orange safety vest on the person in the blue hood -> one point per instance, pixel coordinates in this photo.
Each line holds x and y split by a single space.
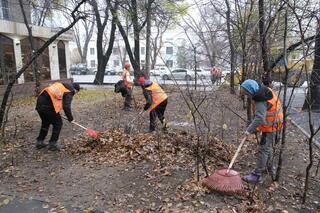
274 115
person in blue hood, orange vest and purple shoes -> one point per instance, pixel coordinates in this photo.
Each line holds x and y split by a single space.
268 120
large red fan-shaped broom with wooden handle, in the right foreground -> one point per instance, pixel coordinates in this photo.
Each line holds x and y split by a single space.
226 180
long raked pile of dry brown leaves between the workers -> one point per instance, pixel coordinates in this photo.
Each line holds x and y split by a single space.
173 148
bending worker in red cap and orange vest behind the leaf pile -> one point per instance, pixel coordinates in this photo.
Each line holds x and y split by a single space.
156 104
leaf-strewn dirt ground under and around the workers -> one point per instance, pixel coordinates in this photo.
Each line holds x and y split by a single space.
148 171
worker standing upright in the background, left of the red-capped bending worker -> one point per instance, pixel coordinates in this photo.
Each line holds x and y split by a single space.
128 83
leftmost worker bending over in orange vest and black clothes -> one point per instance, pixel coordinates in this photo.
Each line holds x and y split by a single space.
49 103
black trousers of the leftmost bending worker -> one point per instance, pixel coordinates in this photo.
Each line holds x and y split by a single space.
49 117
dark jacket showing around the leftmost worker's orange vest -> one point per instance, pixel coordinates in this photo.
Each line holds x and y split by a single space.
44 102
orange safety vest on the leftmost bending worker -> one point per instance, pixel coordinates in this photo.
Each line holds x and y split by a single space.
56 92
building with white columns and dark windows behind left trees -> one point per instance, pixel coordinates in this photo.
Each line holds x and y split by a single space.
15 48
